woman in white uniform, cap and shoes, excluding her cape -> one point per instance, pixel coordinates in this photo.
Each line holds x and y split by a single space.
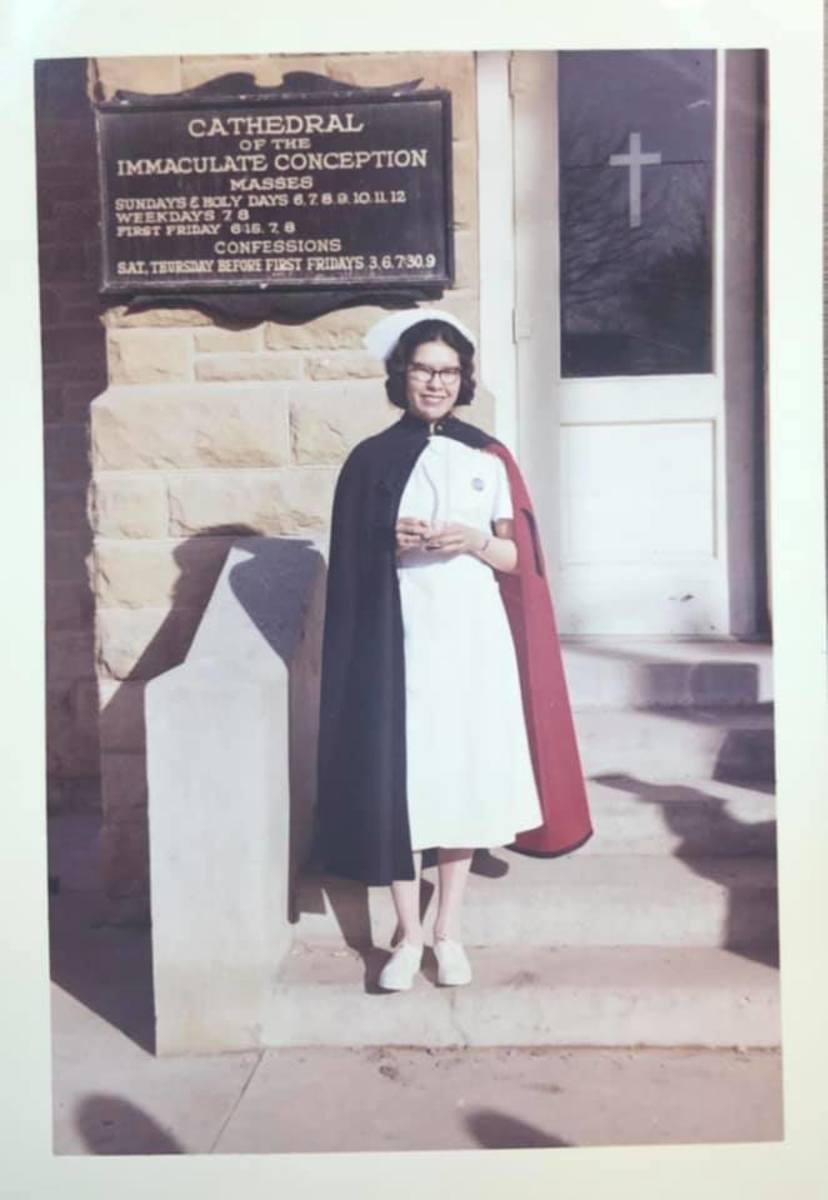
470 778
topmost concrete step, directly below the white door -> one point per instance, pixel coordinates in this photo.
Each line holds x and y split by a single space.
629 673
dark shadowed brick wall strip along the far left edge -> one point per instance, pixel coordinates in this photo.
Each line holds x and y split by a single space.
74 374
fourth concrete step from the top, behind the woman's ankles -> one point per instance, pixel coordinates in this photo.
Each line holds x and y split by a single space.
578 902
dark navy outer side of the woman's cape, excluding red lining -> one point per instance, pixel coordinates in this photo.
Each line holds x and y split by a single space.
363 817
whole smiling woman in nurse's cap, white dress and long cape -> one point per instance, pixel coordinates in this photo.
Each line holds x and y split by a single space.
445 717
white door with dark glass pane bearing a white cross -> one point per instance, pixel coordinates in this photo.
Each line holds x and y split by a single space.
635 417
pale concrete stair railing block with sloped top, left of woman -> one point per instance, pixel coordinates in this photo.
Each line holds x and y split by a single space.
231 745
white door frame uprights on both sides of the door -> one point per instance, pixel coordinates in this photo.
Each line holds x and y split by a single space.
512 233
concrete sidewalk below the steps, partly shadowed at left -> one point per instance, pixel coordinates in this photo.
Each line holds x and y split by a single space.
112 1096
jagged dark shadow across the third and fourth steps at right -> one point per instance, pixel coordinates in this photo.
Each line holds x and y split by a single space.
681 820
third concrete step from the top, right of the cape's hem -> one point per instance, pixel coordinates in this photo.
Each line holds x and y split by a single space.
697 819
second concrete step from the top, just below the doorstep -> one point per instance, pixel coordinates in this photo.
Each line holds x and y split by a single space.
675 745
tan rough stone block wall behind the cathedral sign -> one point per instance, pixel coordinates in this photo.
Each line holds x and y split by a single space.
205 434
